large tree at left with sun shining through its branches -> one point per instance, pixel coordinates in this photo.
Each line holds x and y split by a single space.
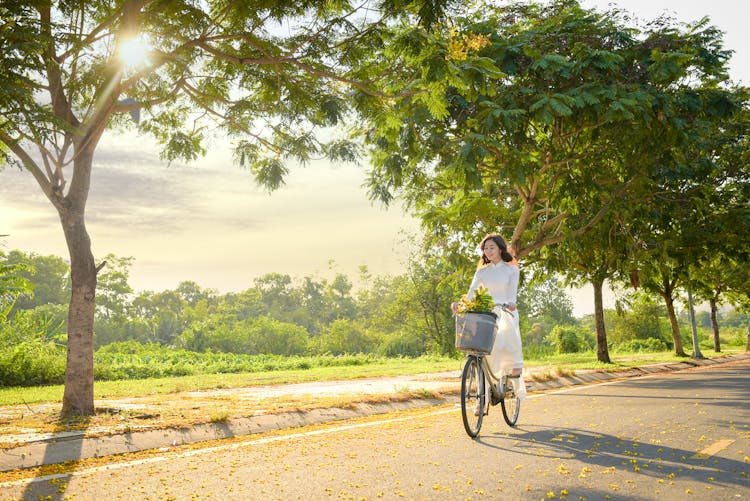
269 73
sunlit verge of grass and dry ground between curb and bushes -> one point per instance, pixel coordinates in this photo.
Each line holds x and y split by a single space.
158 403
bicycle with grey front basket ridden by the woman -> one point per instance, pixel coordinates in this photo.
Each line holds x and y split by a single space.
475 336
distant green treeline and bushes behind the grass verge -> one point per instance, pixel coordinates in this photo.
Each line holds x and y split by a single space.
280 321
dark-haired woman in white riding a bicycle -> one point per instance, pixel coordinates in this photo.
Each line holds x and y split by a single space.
498 273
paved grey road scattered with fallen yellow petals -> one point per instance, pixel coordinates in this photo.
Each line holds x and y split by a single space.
681 435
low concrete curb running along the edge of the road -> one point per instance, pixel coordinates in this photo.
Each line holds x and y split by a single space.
71 446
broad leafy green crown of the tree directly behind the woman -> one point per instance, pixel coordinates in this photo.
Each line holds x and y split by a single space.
543 118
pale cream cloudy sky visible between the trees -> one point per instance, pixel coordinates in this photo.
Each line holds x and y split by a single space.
208 222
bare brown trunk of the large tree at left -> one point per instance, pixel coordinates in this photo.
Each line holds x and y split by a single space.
78 397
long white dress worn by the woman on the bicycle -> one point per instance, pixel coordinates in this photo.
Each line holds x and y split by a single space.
501 281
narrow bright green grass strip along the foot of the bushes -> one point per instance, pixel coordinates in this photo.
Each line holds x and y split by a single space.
549 367
